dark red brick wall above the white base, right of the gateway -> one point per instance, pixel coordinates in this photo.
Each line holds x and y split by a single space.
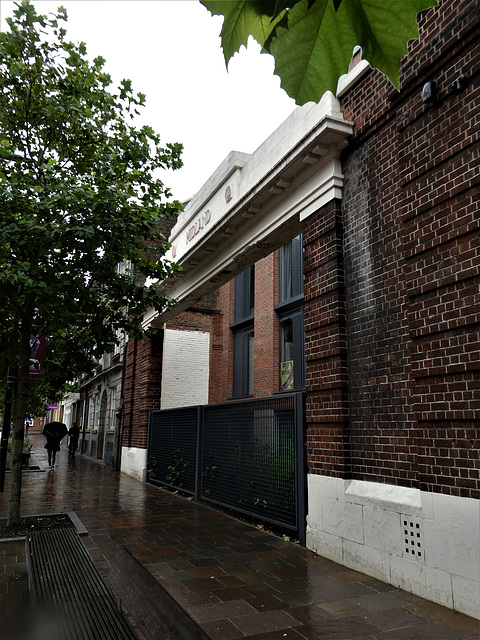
411 263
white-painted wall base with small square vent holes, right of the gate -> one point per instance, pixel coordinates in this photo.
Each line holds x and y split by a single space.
425 543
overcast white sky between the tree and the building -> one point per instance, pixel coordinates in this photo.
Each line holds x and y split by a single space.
171 51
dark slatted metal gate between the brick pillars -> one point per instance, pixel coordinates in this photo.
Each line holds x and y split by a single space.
247 456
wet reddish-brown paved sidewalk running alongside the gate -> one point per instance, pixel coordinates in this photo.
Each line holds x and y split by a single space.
235 580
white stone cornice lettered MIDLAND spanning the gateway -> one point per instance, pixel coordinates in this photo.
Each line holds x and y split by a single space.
253 204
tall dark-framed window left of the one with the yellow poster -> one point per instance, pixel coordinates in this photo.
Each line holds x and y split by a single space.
243 336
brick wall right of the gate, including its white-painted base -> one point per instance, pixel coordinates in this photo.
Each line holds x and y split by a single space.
392 304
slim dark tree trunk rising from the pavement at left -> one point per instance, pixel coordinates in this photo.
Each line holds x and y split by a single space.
13 515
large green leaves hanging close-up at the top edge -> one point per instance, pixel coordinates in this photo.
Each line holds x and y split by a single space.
312 40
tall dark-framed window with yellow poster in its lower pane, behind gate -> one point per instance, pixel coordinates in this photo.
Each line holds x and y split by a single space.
290 313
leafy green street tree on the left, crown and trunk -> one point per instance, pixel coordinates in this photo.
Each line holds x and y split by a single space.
79 195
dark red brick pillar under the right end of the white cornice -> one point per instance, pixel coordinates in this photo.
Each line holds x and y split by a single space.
325 344
